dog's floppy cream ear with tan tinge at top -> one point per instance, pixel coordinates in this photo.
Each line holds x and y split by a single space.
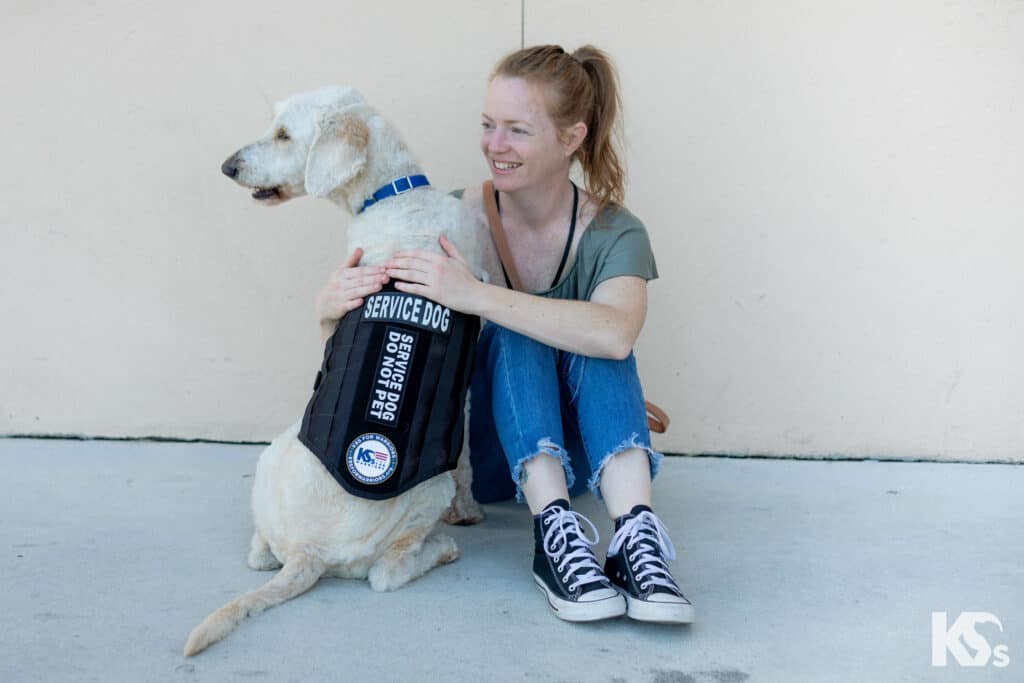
338 153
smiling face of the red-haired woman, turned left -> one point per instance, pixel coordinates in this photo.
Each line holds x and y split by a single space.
520 140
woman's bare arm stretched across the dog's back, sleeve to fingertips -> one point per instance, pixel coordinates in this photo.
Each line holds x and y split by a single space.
606 327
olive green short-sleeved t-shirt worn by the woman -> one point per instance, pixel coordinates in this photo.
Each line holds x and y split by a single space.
615 243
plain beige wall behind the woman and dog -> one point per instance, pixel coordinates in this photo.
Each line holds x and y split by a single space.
830 189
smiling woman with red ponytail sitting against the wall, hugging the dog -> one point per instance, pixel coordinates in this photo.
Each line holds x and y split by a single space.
556 363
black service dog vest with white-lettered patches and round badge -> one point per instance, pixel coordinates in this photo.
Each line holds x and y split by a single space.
388 407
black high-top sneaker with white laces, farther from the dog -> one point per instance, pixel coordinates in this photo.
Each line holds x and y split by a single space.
636 565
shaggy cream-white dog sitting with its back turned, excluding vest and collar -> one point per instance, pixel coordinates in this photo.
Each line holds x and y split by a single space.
329 144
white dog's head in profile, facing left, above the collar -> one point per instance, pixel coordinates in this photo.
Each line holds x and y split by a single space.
317 144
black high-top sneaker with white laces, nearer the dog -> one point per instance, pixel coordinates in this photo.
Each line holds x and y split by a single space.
567 571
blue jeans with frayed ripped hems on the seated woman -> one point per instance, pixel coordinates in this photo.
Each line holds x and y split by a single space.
529 399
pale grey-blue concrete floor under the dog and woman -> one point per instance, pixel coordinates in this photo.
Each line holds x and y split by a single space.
800 571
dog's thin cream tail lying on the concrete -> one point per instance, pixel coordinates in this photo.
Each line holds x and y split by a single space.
300 574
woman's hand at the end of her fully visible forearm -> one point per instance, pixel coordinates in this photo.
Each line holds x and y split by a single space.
442 278
